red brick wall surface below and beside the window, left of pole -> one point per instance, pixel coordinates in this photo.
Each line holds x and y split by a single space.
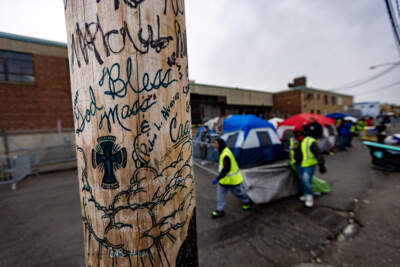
38 105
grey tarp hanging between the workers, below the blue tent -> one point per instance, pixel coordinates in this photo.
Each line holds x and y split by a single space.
267 183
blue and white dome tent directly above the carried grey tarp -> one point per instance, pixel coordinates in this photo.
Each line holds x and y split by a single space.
252 140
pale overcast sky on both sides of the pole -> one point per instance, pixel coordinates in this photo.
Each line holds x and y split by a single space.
263 44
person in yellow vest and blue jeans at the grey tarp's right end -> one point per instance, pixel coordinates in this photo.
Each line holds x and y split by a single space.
307 156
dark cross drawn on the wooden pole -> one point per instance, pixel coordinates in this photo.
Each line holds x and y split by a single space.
109 157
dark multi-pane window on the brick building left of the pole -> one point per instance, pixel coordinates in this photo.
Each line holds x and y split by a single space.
16 67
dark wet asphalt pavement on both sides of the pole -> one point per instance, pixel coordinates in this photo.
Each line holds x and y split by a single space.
41 222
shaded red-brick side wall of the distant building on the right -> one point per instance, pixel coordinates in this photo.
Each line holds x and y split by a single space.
286 103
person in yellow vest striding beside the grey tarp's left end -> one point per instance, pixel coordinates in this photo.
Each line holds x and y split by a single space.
228 179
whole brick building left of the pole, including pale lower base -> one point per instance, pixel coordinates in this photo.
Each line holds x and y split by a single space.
35 102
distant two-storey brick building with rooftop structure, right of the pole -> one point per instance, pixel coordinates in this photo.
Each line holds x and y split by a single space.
302 99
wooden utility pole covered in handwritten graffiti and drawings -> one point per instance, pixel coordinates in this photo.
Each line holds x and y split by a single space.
130 93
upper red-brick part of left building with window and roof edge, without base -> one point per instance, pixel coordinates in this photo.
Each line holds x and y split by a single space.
34 84
